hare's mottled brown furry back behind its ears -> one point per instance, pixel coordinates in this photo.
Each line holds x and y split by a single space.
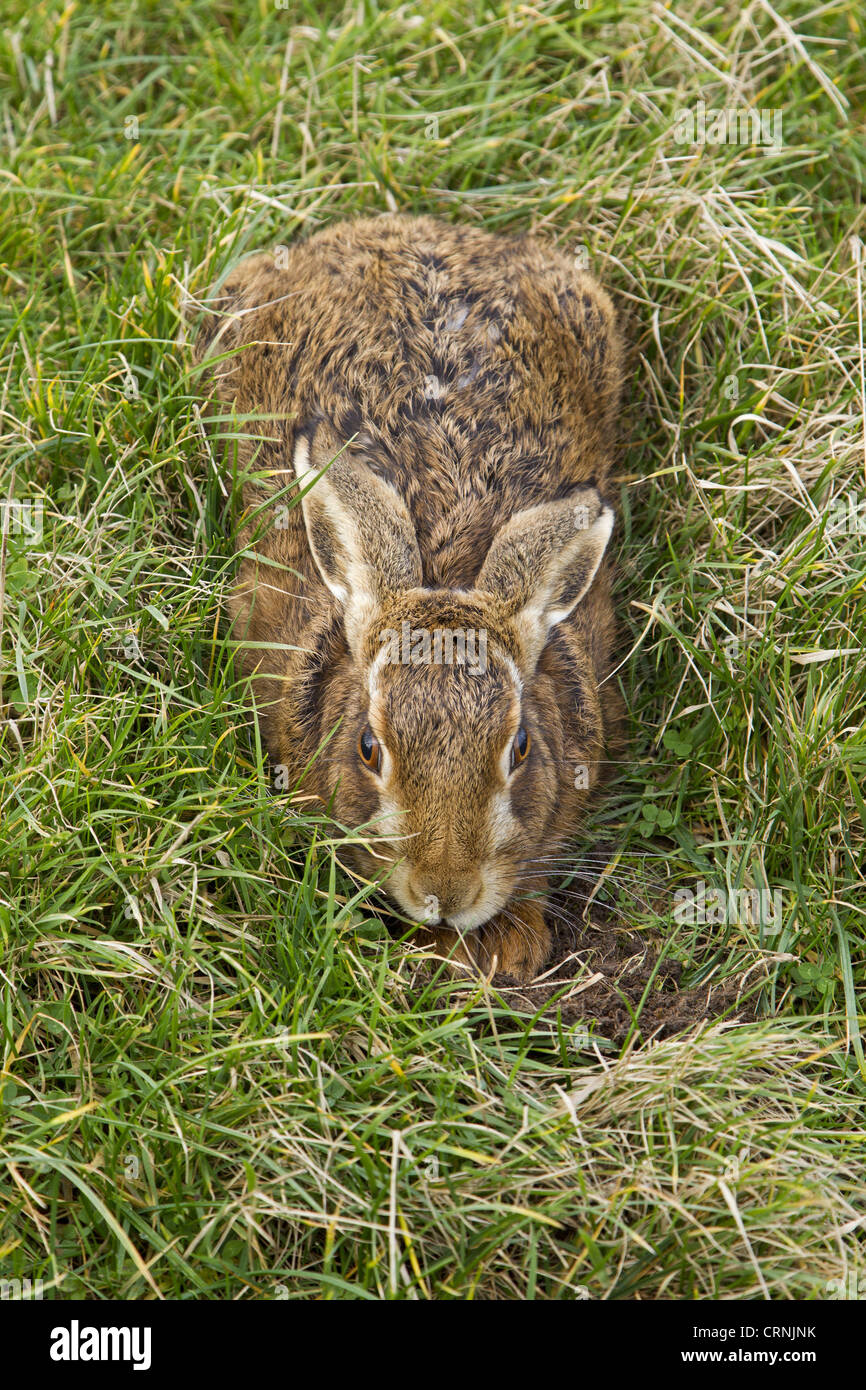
484 370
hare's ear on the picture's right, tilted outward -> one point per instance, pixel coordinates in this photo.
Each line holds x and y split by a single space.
543 562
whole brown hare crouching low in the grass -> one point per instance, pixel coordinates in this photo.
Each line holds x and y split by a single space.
423 591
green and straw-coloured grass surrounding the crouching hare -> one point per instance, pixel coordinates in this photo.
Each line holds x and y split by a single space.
222 1077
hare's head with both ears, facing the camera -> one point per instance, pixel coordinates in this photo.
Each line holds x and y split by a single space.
461 715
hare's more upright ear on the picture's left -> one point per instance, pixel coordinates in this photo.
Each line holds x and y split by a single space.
359 529
